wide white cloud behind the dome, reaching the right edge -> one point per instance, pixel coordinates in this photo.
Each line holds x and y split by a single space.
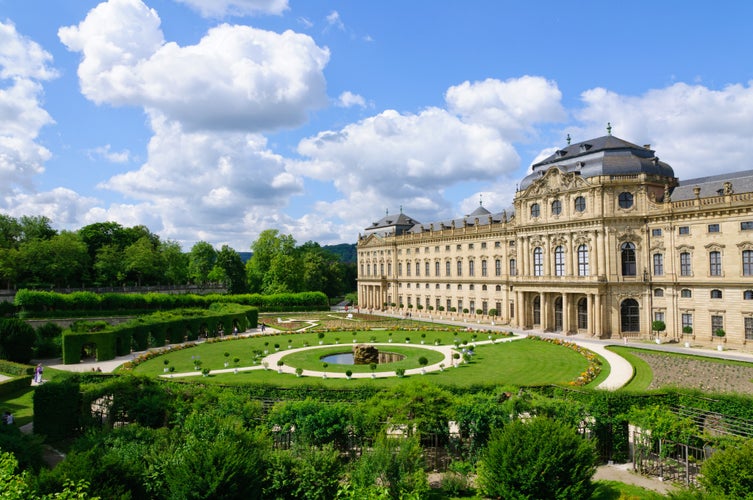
697 130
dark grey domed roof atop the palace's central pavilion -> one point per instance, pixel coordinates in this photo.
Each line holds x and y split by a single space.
607 155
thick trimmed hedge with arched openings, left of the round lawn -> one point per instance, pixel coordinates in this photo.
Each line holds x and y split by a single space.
154 330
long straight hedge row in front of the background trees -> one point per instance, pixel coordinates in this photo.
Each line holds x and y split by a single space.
31 302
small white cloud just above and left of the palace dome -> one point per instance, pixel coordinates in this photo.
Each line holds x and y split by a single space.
513 106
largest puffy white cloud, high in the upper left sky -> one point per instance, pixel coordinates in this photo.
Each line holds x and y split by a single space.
234 78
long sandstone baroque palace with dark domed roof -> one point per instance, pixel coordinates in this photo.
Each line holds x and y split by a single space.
602 240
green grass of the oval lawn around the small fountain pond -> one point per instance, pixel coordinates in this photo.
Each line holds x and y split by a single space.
516 363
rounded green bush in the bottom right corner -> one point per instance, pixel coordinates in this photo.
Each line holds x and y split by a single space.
728 473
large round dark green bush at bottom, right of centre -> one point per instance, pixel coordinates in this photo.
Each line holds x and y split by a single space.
541 458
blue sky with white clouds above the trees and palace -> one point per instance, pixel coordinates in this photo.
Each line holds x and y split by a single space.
213 120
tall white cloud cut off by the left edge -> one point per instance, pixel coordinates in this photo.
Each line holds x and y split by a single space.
23 64
